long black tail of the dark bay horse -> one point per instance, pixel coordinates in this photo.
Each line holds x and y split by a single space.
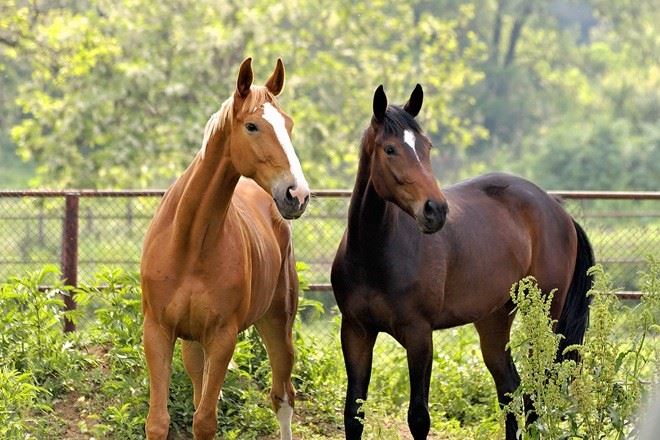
575 314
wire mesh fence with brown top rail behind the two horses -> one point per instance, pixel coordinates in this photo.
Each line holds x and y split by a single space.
85 230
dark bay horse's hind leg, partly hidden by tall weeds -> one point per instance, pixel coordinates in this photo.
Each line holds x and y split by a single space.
494 331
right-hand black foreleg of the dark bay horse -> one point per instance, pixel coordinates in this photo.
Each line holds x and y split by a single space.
419 346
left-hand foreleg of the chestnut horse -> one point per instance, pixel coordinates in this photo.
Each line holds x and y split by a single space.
158 348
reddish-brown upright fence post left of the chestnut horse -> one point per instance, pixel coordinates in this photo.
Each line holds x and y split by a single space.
69 261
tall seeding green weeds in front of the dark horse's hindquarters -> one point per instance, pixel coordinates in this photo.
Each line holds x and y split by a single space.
600 397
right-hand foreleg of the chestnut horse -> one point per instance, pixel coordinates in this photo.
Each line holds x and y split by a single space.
218 348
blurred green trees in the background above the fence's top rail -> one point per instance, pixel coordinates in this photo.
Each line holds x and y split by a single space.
117 93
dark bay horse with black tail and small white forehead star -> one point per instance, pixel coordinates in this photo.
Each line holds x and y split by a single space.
414 259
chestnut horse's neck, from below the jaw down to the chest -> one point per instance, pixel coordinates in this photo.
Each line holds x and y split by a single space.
205 189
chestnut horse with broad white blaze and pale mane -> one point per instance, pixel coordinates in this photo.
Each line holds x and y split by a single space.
217 256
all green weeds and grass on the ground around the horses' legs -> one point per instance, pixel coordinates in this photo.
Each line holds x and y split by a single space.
102 369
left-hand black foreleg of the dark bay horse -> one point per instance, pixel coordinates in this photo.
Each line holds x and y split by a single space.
357 344
